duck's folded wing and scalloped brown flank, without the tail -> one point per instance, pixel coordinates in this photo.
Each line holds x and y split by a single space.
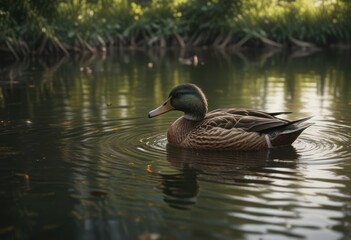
223 130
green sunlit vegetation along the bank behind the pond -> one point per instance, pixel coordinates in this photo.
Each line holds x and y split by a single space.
64 26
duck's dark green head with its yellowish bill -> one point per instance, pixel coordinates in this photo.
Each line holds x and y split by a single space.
187 98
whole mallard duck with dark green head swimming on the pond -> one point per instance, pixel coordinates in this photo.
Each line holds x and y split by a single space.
224 129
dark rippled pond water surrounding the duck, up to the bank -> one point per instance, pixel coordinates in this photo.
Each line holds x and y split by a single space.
79 159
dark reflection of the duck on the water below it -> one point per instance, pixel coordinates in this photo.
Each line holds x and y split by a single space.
228 167
